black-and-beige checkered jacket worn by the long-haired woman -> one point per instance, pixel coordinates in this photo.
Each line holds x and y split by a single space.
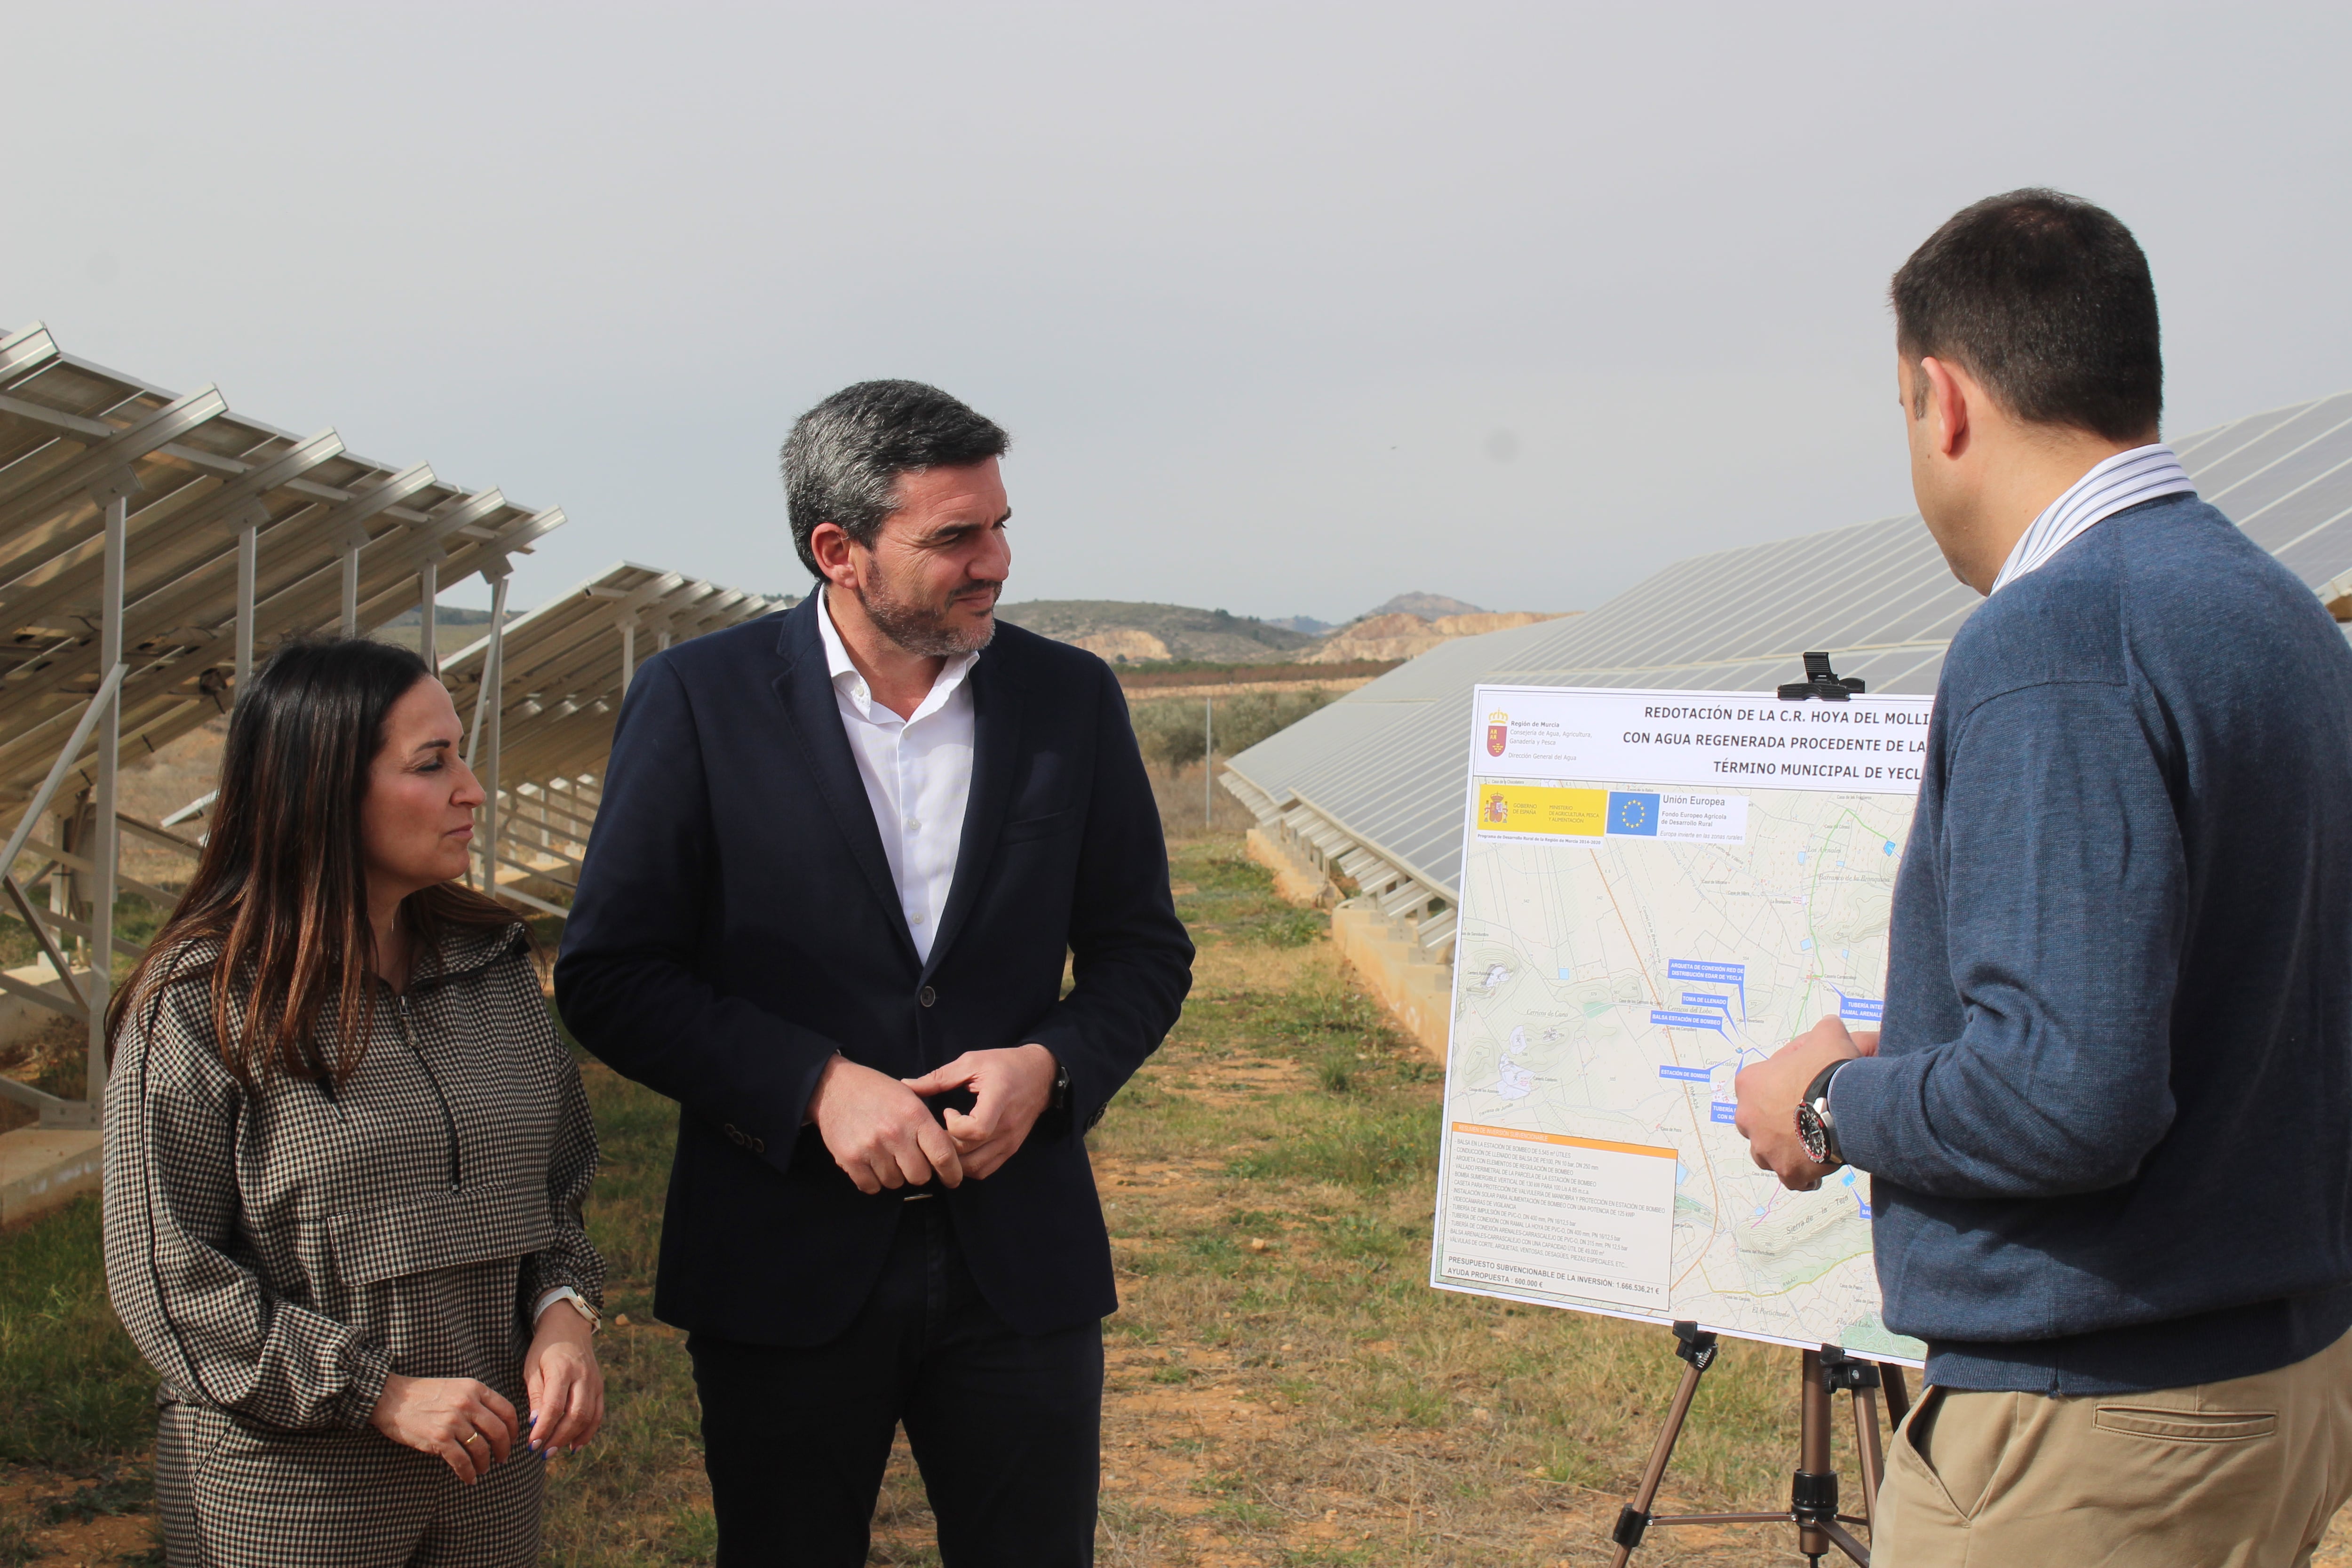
279 1252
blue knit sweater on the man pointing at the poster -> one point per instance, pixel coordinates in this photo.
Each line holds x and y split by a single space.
2111 1118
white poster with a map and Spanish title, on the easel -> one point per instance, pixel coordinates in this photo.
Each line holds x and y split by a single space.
1657 890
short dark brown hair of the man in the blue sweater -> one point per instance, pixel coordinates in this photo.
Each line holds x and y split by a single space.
2047 302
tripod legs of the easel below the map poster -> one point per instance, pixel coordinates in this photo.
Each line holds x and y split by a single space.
1812 1503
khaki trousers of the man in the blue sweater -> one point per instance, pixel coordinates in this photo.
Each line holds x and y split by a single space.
2224 1475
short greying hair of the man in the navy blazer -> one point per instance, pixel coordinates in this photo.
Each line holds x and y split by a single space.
848 453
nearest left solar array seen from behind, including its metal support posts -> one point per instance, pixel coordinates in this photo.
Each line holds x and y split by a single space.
152 547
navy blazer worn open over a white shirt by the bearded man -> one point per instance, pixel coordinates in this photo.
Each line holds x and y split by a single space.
737 925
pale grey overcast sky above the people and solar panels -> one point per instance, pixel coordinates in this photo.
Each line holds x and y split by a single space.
1288 307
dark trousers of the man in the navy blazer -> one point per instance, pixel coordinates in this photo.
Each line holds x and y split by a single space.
1005 1426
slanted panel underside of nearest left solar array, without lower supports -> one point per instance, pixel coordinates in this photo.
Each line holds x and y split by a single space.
199 478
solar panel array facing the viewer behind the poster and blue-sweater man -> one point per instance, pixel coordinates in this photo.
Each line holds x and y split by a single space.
1375 784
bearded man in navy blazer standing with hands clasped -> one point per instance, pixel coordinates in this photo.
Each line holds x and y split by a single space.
838 871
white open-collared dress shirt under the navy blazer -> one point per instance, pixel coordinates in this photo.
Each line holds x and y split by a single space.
918 777
